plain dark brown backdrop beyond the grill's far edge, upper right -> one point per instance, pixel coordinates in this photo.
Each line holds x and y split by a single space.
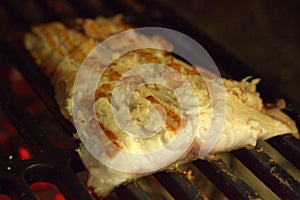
263 34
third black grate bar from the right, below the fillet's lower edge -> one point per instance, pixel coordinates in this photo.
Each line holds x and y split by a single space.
230 183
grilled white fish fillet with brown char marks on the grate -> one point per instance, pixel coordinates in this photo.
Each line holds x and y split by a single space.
59 50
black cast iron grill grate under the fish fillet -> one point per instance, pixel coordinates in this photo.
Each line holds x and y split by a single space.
59 166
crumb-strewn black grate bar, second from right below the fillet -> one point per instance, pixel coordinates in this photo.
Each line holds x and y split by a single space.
270 173
